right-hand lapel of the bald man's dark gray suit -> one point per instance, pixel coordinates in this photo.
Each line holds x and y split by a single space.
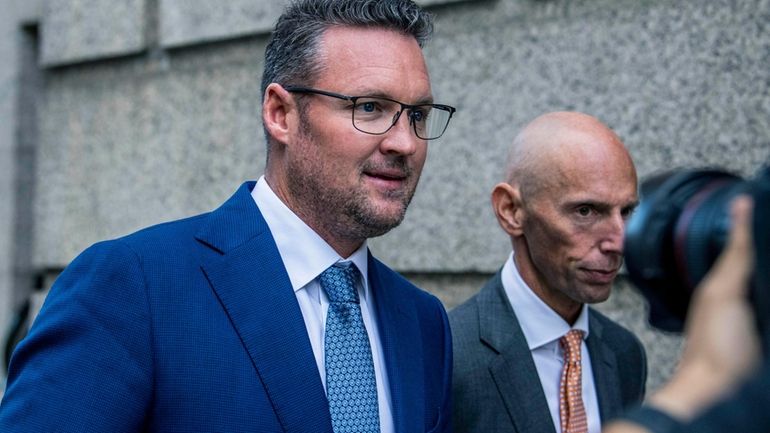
605 370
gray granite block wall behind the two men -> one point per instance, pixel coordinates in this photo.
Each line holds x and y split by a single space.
149 110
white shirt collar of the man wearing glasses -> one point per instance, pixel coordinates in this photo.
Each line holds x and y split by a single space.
304 253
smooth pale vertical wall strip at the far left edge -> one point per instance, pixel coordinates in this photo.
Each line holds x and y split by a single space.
17 50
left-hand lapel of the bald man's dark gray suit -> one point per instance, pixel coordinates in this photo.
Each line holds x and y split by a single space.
513 370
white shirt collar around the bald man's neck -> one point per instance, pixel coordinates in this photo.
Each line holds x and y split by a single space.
539 323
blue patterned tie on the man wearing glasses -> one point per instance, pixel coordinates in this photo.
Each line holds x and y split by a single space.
350 383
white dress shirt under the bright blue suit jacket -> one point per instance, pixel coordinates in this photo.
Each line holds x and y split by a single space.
305 255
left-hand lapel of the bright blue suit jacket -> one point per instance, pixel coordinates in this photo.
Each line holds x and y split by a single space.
253 287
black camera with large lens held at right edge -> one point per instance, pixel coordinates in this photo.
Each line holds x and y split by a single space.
679 229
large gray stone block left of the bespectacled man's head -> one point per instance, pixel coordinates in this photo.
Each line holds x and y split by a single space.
129 144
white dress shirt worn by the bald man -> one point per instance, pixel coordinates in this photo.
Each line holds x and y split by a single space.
543 327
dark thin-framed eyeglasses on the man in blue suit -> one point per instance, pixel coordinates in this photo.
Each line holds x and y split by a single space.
376 115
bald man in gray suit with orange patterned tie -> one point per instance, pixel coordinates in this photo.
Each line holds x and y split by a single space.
570 187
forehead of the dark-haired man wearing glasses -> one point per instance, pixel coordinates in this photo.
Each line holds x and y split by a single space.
362 60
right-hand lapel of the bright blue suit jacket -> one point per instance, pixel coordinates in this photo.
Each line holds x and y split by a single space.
399 334
